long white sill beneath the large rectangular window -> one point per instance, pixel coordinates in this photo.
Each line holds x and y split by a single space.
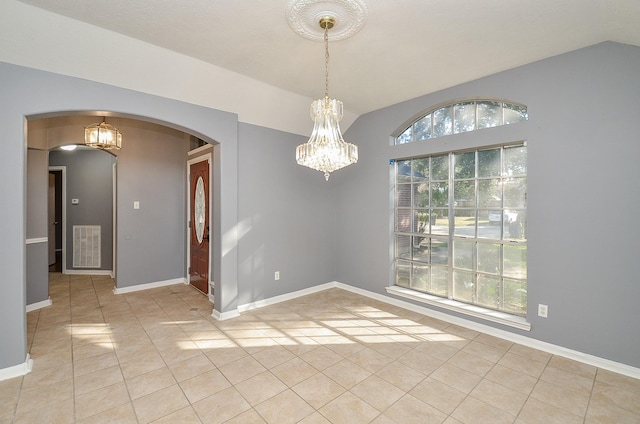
463 308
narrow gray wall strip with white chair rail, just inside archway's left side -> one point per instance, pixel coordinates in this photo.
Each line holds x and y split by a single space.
37 217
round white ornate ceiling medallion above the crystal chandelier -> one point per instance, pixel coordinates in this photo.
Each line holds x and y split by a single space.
303 17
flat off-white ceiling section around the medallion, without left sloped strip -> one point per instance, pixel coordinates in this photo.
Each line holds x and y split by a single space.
406 48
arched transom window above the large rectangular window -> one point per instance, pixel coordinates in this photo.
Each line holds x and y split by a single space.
463 116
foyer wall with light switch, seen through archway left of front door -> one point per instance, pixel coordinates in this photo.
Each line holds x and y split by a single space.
152 239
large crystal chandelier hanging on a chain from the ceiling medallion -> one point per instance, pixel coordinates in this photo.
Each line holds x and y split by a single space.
326 150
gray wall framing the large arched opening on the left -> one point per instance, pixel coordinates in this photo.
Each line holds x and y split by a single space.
36 94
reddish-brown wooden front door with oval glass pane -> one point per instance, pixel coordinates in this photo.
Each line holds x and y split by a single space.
199 226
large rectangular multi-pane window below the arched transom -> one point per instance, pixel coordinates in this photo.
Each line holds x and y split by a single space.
460 225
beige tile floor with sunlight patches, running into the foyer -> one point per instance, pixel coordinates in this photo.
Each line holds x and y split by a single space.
331 357
